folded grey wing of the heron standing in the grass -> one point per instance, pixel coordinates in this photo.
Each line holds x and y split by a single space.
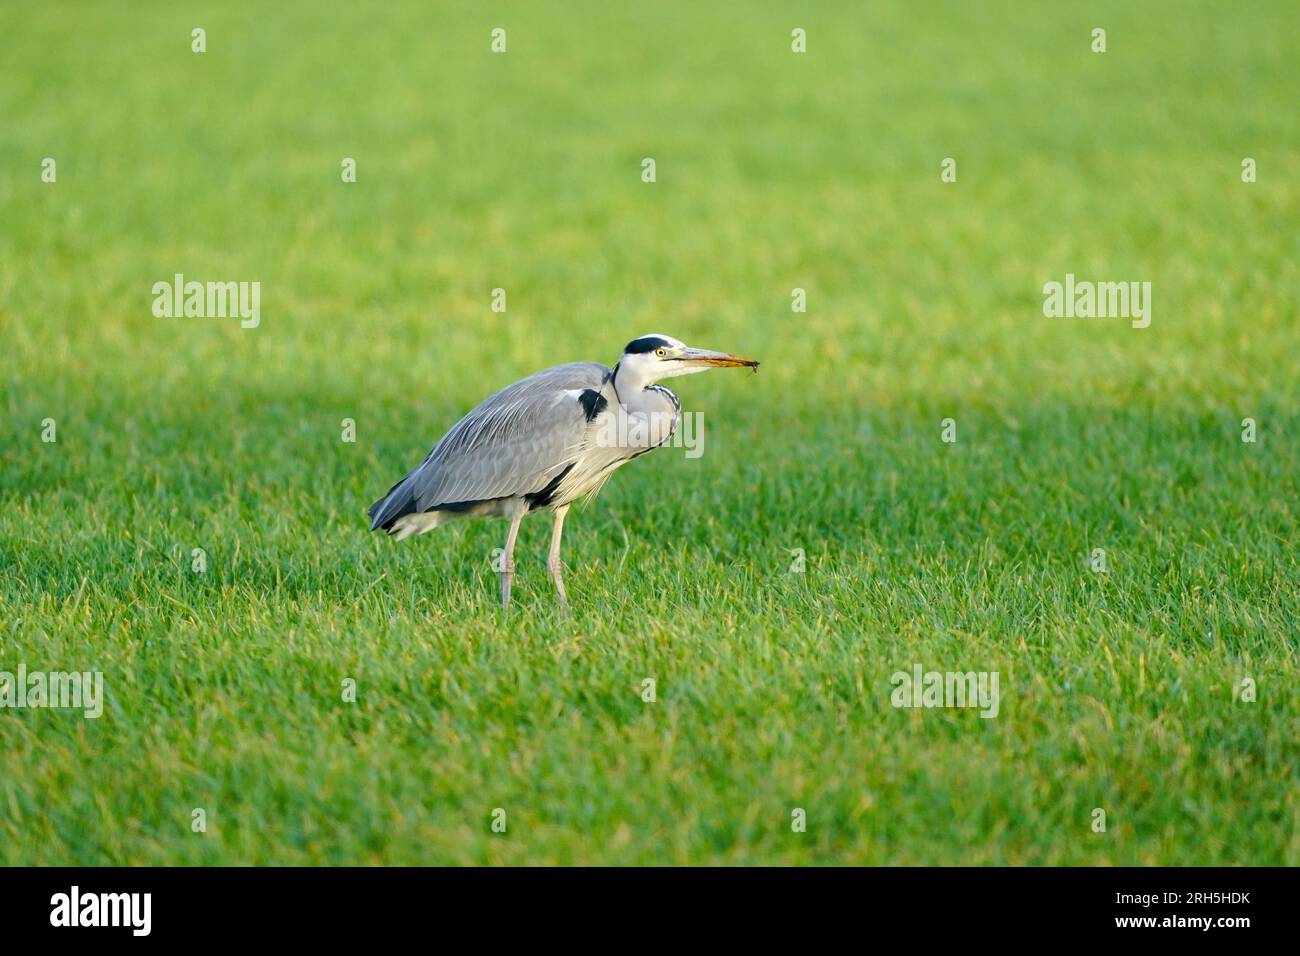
513 444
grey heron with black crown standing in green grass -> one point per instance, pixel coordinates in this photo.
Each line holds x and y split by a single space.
544 443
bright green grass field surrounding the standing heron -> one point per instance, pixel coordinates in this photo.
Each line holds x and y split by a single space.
774 171
